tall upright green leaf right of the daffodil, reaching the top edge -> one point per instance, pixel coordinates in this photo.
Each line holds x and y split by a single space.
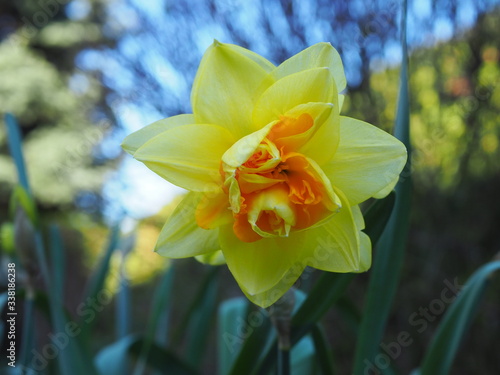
389 250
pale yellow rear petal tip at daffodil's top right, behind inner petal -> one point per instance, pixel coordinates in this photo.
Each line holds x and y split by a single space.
316 56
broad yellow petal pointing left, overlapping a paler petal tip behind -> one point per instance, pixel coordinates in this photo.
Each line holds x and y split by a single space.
188 156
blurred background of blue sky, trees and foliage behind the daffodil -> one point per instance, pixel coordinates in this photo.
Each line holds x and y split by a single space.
80 75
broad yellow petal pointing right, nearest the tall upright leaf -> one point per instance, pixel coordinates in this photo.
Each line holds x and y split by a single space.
368 161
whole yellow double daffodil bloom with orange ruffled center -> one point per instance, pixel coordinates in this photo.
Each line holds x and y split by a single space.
275 174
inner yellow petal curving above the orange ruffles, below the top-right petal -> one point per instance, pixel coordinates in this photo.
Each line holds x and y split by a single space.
313 85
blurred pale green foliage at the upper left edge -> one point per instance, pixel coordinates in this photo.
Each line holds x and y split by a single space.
59 137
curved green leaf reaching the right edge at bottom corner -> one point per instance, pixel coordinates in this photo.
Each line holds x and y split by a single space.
444 346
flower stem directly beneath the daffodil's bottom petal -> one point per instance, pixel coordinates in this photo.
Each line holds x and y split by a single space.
281 315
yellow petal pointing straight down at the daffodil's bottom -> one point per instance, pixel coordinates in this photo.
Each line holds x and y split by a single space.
259 266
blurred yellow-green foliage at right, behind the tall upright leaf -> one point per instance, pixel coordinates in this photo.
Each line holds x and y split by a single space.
453 107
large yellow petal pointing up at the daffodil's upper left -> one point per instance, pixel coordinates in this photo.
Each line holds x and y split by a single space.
226 86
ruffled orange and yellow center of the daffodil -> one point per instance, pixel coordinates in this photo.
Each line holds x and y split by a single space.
277 189
